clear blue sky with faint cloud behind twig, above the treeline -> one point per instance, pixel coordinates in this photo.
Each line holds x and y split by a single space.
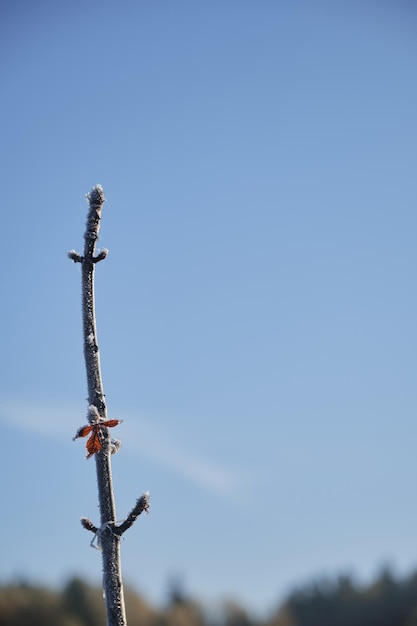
257 311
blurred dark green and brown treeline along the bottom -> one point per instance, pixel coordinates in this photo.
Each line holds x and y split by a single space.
387 601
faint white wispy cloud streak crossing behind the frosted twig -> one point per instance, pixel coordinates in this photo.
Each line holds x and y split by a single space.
145 438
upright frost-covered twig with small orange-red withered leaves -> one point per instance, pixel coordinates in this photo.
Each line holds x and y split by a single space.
101 445
